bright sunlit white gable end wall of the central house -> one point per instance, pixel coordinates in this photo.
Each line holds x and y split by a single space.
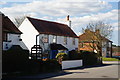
29 34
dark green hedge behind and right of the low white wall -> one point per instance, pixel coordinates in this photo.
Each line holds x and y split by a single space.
89 58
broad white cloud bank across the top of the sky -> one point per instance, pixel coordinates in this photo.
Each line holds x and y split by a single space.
56 8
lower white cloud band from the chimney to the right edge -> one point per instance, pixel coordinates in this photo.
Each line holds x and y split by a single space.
109 16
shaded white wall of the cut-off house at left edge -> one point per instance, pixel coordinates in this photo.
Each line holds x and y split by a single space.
13 39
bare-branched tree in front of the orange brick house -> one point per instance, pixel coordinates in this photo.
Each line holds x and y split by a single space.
98 32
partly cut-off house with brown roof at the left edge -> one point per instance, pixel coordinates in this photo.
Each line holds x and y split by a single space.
11 35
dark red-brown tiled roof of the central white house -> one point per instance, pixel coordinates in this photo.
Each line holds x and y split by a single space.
49 27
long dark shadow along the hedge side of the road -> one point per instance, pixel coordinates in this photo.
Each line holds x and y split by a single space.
62 73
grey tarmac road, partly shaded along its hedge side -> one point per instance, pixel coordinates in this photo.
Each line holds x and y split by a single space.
109 70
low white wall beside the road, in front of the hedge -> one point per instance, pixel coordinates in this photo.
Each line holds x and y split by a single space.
71 64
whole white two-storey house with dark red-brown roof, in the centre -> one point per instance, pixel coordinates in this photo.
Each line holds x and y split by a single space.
48 36
